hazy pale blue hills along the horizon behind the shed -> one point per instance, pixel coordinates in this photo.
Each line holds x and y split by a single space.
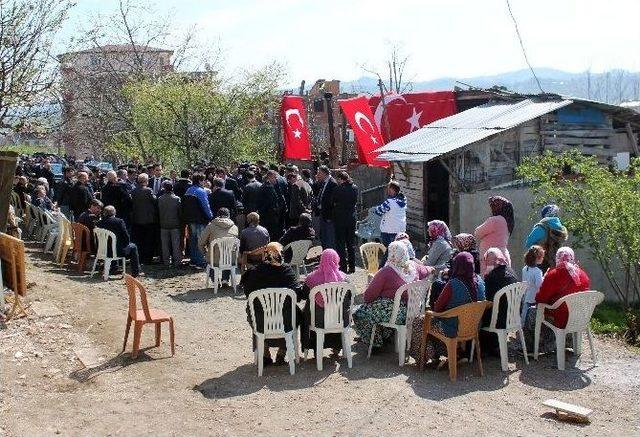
613 86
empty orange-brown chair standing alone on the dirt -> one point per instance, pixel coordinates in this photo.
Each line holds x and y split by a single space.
140 317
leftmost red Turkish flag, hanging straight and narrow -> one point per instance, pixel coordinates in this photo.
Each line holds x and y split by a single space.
294 128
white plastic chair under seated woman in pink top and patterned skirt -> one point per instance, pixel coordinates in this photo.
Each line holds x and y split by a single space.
418 293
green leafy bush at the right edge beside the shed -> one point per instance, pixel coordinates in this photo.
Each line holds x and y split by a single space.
601 208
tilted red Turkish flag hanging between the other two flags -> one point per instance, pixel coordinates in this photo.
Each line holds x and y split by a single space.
368 138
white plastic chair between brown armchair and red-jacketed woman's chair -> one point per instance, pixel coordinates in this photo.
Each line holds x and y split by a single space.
513 322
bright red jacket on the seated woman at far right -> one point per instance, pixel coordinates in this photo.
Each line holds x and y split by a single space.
556 284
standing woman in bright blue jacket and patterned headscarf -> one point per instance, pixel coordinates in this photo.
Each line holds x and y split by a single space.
549 233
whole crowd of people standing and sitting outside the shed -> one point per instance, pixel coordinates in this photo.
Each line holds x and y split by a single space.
175 218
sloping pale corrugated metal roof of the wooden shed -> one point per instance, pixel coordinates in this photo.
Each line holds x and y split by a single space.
475 124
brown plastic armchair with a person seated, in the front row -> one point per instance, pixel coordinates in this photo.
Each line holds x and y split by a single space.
469 317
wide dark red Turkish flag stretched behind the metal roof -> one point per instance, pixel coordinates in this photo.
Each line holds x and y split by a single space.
408 112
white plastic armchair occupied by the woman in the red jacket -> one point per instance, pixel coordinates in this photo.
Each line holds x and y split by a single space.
580 306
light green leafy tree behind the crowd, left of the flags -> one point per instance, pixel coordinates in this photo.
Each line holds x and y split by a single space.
184 118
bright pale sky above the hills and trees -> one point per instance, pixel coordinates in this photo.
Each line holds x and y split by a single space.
459 38
